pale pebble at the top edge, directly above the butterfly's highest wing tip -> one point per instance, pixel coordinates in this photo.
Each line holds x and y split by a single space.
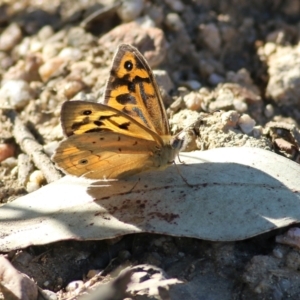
130 10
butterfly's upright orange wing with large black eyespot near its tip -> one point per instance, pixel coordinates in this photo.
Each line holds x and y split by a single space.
132 89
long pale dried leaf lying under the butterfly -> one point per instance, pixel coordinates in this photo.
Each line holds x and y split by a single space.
236 193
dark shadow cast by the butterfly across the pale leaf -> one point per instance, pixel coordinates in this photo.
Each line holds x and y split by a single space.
222 201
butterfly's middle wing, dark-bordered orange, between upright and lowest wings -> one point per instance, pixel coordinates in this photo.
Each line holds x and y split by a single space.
82 117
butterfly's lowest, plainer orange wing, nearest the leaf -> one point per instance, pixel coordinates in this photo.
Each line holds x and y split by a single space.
106 155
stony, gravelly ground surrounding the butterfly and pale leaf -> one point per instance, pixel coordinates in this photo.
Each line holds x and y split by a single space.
235 63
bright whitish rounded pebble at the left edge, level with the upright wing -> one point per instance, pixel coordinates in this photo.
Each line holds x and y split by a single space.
16 93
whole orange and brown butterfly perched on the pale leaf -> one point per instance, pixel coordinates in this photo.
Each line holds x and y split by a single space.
126 135
